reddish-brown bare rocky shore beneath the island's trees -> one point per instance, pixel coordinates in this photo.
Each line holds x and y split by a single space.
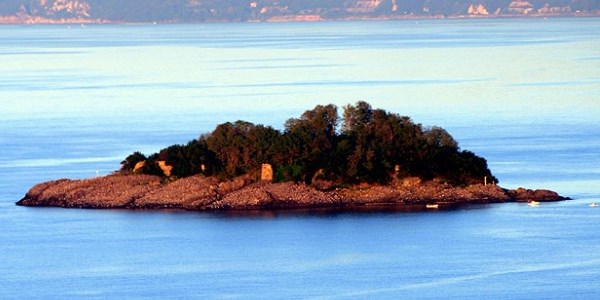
199 193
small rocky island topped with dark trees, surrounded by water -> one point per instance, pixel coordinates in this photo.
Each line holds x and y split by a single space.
368 159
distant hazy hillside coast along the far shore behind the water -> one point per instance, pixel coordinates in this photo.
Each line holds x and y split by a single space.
147 11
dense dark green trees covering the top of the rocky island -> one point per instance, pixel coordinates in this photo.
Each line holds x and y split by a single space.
365 145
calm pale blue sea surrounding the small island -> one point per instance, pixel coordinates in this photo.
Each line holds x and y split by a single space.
75 100
